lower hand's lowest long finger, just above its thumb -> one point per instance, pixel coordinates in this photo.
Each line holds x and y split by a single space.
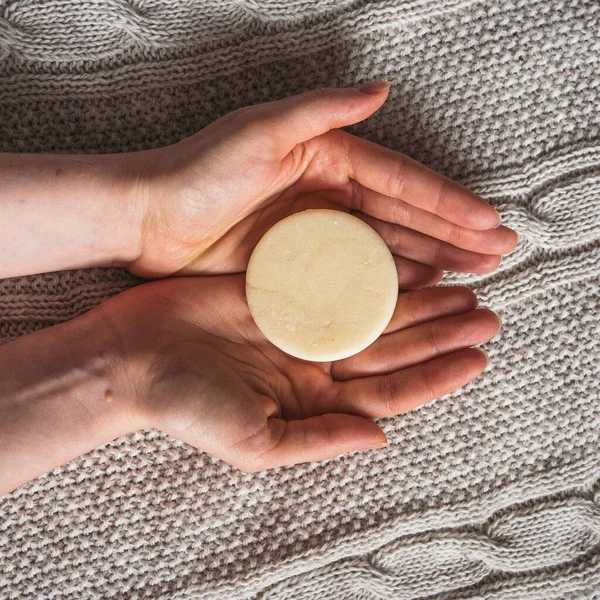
401 391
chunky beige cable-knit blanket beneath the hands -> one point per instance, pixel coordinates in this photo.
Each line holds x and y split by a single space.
489 493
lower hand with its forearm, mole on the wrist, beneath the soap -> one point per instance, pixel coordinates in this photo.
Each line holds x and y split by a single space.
183 355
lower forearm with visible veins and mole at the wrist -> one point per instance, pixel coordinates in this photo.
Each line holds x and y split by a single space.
63 391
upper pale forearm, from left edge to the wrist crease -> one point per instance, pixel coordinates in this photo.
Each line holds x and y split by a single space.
68 211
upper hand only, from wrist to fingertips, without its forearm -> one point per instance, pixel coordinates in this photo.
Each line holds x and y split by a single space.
209 198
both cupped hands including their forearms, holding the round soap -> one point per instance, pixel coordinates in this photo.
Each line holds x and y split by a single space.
183 354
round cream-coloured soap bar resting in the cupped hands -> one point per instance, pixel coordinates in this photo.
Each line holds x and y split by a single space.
321 285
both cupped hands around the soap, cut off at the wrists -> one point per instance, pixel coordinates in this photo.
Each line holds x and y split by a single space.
204 373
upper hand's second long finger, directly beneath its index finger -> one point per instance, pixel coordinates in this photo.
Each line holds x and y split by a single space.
499 240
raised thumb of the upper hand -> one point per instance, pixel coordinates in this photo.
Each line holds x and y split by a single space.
296 119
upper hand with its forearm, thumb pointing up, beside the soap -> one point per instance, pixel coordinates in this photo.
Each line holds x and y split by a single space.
201 205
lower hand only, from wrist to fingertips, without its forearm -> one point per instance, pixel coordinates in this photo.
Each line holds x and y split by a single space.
211 379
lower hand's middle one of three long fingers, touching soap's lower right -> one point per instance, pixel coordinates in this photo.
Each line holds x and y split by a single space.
419 344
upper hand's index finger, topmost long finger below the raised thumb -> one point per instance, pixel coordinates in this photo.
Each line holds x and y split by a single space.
398 176
